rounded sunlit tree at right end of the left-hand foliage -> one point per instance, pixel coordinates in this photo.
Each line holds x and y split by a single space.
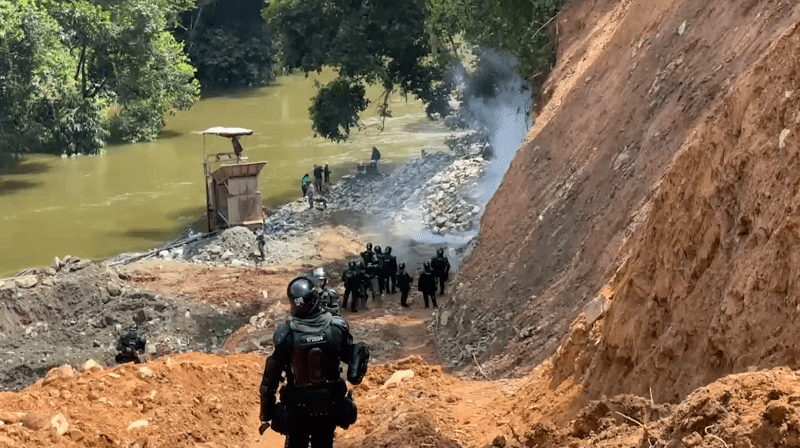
127 57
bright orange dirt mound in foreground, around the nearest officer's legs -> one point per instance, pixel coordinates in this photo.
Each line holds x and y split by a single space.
206 400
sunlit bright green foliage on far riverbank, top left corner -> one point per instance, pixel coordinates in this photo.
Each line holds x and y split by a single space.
67 66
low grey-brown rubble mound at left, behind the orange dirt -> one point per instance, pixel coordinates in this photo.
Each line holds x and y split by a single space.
78 315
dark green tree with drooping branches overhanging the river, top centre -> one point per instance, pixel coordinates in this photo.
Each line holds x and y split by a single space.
382 42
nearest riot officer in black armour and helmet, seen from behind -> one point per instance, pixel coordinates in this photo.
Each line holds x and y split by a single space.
308 350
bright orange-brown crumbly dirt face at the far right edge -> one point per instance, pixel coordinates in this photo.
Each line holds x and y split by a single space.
708 288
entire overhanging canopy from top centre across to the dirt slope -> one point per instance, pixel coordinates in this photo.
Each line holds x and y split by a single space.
402 45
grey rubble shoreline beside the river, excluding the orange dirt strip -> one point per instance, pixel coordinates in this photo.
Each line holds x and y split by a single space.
74 309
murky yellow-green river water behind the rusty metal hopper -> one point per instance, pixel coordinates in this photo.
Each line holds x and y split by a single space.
134 197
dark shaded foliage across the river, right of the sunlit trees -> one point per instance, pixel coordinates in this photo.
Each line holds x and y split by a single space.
228 41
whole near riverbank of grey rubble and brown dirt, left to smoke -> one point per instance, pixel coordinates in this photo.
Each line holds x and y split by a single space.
215 294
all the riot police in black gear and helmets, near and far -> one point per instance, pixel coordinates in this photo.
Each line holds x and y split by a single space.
304 369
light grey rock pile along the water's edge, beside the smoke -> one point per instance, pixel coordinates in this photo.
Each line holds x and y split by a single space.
433 189
